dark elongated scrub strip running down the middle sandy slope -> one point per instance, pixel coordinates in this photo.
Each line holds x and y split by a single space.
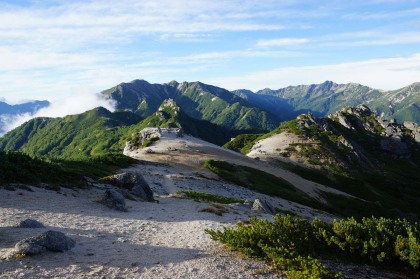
260 181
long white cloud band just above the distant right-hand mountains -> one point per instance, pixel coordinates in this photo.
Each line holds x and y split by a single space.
386 73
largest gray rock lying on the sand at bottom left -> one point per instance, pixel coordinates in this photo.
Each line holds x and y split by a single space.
50 240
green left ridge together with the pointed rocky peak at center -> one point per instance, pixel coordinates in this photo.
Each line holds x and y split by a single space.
99 132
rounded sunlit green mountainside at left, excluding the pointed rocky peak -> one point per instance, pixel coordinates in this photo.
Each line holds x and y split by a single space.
93 133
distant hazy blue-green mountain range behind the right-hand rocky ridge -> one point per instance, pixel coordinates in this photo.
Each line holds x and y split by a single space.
322 99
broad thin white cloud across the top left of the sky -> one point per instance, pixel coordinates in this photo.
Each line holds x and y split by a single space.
113 22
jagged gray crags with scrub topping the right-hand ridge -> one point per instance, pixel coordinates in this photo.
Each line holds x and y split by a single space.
359 122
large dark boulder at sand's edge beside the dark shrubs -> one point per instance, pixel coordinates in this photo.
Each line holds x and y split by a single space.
134 183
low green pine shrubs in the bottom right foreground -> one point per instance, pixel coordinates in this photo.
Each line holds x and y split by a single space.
295 245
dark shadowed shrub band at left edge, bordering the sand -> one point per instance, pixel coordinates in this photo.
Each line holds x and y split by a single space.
20 168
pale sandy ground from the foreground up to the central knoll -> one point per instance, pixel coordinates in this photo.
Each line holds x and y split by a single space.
151 240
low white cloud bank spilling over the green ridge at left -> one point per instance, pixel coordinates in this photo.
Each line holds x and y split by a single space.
69 105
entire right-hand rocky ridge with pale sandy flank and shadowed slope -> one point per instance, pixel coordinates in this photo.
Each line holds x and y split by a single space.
353 150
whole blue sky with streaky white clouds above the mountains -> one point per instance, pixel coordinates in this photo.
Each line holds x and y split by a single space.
55 49
